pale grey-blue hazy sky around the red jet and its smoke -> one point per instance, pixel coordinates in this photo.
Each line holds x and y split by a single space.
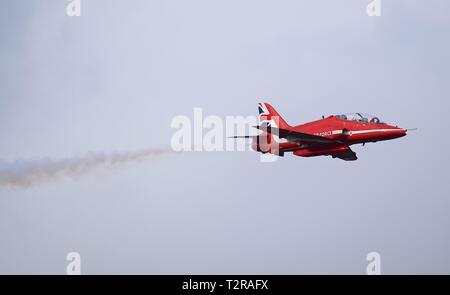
112 80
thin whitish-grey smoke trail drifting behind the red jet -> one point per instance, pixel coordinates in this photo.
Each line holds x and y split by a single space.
26 173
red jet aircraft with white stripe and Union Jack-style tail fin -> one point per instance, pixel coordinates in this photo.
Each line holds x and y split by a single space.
330 136
